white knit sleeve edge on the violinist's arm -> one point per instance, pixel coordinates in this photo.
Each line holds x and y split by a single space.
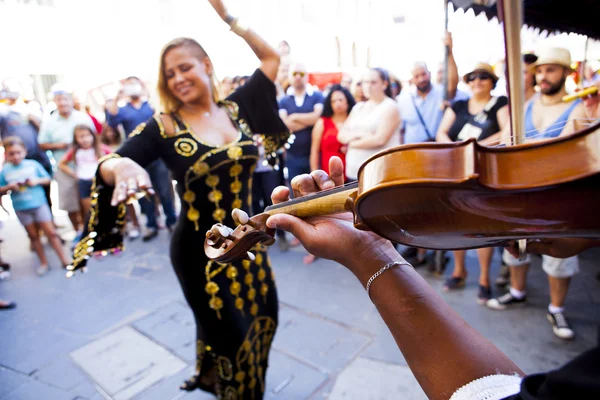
493 387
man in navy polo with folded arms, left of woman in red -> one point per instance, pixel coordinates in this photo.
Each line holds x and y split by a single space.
300 110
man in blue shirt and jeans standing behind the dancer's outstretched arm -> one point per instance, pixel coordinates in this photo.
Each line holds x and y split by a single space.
135 112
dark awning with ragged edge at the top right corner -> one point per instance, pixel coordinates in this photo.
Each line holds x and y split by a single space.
578 16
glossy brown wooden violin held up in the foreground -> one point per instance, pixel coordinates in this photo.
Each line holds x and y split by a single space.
451 196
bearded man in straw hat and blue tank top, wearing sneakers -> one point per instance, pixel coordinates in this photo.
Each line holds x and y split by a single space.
546 116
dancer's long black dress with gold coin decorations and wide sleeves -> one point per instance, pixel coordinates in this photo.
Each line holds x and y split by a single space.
235 305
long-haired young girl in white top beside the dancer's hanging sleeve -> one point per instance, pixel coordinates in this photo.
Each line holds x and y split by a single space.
84 153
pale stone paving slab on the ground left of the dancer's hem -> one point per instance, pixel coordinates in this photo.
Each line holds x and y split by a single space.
126 362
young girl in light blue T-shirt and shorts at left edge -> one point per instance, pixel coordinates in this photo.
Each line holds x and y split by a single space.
24 179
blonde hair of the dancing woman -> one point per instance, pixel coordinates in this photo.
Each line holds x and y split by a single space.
169 103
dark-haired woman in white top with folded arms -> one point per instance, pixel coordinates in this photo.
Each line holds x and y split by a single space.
373 125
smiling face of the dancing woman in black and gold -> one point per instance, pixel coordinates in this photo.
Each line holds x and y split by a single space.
186 74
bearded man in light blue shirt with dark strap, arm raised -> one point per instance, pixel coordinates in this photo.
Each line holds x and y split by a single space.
421 109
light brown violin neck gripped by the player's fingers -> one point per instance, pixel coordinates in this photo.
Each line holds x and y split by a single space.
323 203
